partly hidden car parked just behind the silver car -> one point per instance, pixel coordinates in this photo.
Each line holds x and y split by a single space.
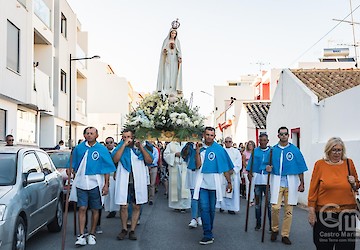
60 159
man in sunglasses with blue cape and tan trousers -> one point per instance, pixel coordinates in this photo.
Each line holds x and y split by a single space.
287 179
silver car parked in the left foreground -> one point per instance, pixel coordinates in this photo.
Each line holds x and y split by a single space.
31 195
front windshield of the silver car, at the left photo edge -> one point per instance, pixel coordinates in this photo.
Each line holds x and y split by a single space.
7 169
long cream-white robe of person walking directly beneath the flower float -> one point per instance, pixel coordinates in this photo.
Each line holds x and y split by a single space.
179 195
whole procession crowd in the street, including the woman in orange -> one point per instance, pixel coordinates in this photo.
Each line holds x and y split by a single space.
203 176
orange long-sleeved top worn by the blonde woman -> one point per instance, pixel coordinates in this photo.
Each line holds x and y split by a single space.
329 185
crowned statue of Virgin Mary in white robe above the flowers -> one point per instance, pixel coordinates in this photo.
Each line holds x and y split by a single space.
170 74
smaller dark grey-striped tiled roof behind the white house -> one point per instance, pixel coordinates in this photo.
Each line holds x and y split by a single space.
258 112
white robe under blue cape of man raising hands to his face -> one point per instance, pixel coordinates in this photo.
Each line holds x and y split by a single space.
141 180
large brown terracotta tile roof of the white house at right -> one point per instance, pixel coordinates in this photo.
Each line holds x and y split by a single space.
328 82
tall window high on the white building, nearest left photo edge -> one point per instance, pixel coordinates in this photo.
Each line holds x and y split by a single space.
13 47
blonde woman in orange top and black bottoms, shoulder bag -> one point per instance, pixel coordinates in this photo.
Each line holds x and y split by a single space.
331 198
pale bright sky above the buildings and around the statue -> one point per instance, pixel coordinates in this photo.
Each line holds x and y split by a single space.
220 40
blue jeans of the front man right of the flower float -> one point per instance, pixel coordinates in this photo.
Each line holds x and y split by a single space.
207 201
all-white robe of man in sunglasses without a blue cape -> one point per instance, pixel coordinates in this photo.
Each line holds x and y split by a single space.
232 202
